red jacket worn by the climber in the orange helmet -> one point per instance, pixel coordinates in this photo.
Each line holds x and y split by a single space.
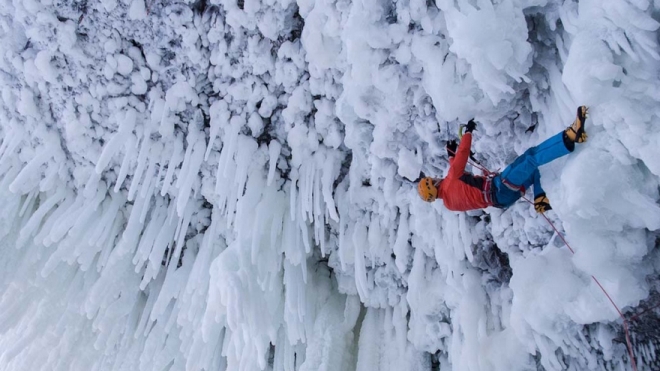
462 191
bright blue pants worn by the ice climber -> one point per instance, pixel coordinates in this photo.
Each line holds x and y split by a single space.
524 172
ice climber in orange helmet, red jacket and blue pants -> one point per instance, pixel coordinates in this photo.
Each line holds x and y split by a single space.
462 191
